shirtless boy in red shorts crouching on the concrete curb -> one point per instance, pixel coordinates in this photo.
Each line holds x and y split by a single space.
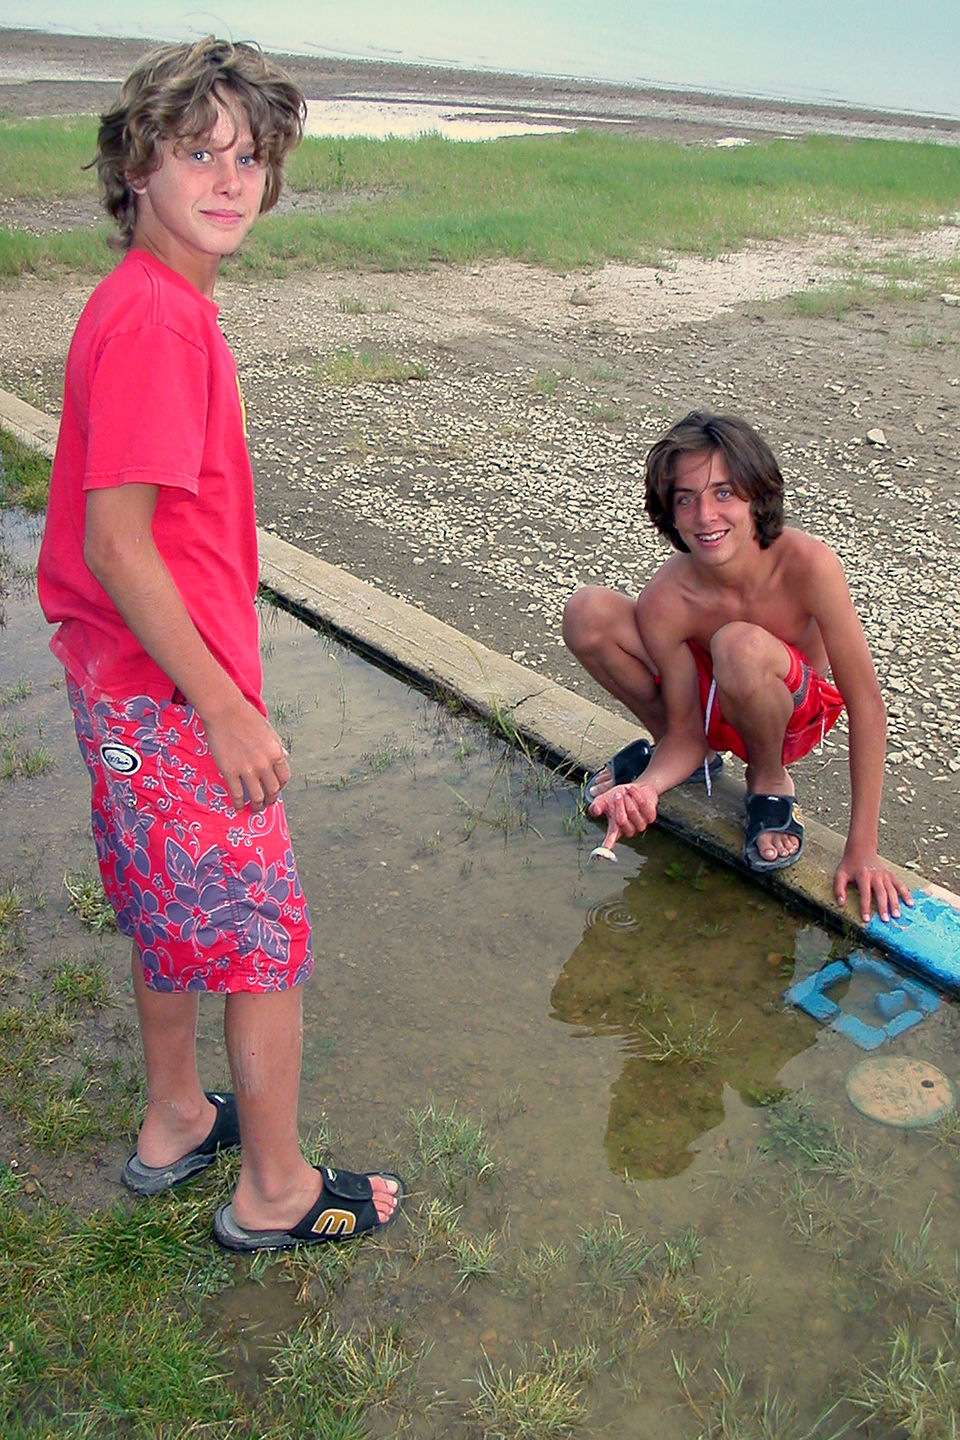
729 649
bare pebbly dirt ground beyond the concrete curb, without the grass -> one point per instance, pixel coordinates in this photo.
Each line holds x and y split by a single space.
507 474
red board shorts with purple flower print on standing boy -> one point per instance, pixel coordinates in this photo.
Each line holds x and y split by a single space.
209 894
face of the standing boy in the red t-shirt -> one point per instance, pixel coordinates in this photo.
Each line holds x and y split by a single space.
204 199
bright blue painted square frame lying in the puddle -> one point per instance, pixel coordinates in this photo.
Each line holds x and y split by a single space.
900 1004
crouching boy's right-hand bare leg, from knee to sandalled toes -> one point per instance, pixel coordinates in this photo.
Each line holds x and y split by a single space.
751 669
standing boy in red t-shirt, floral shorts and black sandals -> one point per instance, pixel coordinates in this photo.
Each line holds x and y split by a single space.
149 565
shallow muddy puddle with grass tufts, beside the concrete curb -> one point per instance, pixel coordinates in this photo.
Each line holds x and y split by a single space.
611 1036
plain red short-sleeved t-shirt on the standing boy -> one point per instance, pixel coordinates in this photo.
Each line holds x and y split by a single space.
152 398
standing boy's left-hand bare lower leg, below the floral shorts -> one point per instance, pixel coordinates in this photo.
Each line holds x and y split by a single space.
179 1115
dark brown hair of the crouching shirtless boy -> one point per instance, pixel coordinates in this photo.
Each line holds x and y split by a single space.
752 466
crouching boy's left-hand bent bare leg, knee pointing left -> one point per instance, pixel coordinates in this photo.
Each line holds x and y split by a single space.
599 627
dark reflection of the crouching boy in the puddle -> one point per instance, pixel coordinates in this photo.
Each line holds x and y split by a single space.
687 966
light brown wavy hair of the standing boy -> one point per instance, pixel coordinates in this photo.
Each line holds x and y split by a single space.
173 94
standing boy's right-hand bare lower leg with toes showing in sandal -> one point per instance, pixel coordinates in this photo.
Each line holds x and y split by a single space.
277 1186
